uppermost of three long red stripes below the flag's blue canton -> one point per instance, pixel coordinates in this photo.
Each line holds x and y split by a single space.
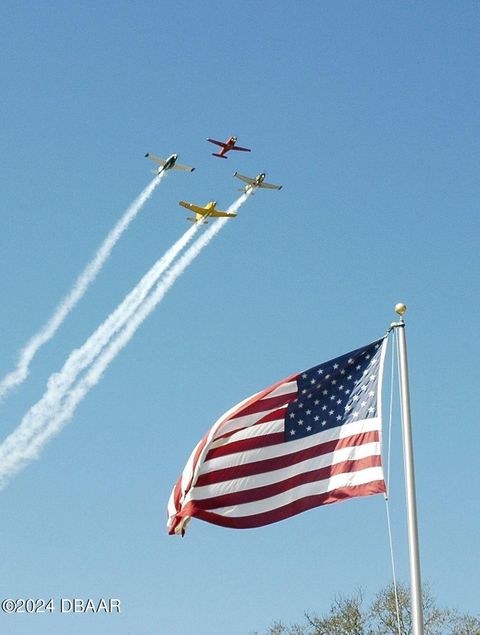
279 462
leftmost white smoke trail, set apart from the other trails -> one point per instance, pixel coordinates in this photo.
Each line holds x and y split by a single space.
88 275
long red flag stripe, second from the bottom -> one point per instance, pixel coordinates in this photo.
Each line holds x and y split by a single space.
267 491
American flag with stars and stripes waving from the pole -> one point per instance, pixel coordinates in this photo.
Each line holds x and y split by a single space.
309 440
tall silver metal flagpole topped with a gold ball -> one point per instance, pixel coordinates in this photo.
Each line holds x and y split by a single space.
415 577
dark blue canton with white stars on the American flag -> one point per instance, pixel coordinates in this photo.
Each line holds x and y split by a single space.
340 391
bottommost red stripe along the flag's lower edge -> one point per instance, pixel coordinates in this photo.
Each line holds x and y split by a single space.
286 511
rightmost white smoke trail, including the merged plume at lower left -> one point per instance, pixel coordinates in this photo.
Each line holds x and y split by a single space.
46 419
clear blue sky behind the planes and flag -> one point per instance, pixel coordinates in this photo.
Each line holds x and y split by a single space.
367 113
